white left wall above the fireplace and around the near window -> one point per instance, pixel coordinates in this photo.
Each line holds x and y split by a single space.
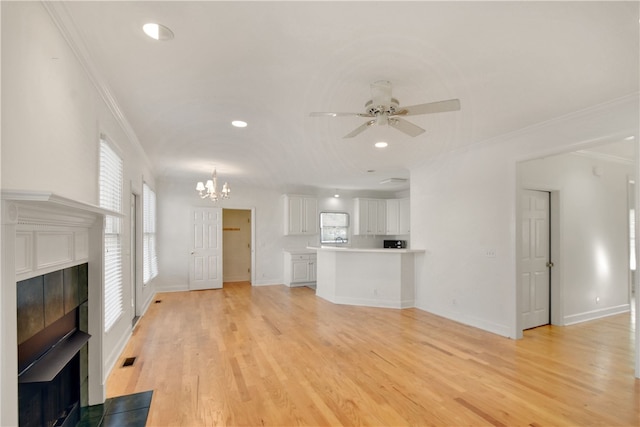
52 117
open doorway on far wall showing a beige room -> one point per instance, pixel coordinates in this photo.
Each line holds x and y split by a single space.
236 244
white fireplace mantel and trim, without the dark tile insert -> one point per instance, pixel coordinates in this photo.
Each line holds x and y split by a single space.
44 232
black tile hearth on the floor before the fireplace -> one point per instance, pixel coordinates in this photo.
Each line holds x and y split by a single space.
123 411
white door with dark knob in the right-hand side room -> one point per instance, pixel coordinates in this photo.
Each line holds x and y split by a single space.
535 258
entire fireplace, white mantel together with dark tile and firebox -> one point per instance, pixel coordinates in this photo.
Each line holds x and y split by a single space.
52 251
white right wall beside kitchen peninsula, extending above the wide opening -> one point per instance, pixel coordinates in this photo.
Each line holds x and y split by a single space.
464 202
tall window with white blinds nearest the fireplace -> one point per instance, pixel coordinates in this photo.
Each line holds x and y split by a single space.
111 180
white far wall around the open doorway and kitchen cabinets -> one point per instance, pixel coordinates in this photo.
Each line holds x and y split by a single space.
176 198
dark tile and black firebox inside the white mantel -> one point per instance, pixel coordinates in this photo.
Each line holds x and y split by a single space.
53 347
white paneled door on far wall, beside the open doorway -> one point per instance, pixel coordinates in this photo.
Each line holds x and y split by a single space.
205 270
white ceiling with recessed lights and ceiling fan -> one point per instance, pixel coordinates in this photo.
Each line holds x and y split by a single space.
511 64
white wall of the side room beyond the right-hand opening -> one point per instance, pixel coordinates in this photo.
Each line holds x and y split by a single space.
593 258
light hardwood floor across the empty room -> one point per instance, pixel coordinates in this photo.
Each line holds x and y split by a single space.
280 357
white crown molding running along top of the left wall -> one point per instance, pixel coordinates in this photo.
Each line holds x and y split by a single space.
65 24
